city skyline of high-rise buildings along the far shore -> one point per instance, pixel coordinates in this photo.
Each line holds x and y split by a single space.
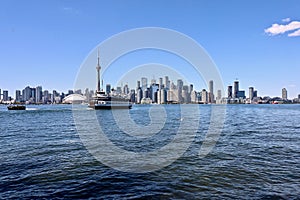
162 90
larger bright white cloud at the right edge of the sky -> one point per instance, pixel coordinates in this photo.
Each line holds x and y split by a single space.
276 29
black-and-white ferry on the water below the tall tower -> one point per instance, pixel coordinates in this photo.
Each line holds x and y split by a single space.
104 101
